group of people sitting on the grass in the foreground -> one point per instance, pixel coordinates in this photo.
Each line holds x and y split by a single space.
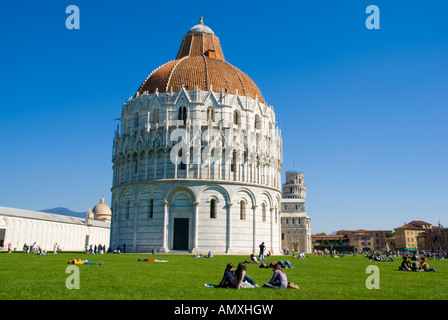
238 278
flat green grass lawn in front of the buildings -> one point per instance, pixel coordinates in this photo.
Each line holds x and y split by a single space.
123 277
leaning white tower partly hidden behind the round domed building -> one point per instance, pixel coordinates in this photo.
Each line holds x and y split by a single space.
296 225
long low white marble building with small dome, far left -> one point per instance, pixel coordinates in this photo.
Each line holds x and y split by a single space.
19 227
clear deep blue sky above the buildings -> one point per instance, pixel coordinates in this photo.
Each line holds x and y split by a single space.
363 113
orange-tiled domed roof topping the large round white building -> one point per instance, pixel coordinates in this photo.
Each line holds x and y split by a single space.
200 64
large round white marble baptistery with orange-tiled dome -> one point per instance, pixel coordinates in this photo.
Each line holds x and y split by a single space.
197 158
